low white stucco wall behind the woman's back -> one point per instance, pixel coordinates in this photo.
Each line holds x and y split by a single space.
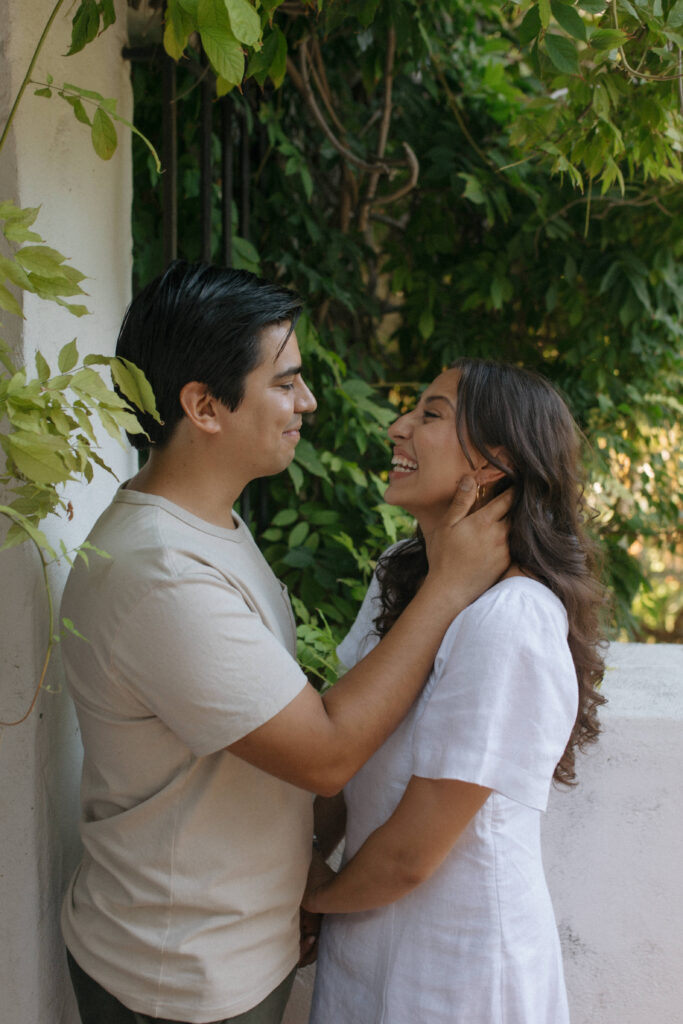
614 849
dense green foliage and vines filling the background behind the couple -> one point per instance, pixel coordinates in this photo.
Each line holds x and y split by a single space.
440 179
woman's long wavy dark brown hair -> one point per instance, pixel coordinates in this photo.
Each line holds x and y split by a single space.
503 406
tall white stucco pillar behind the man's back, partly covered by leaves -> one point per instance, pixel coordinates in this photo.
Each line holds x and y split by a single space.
50 161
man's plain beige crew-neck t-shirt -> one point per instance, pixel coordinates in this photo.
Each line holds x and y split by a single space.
186 905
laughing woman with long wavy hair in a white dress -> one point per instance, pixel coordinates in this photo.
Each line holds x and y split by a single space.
441 912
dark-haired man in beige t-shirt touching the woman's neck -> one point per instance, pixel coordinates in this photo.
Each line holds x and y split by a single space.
203 740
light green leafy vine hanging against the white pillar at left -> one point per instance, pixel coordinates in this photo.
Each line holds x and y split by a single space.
52 437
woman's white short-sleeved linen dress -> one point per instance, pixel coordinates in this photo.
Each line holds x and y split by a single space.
478 943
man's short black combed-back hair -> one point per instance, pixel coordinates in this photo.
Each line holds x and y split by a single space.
199 323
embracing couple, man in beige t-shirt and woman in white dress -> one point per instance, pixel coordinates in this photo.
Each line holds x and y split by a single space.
203 741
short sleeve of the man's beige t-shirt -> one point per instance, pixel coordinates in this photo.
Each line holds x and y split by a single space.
198 658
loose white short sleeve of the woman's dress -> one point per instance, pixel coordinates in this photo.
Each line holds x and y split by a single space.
503 699
